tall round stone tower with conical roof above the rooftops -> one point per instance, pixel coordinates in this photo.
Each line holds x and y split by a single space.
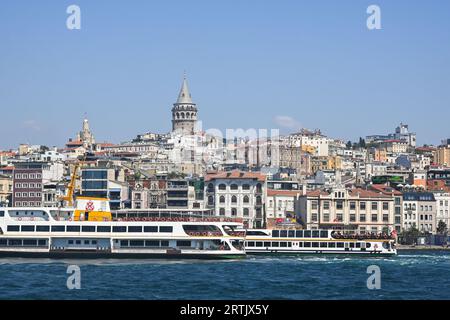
184 112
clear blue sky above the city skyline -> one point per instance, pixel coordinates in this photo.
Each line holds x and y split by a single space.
250 64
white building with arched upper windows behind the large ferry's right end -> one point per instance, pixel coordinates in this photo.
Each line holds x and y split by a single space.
237 194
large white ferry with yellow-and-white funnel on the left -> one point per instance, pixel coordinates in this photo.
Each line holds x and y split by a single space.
89 231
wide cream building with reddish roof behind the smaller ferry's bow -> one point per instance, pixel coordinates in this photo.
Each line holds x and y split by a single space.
352 210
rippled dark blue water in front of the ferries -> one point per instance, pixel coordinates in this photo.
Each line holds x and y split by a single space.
410 275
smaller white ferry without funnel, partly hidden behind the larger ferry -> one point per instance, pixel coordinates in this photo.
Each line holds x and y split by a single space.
291 241
